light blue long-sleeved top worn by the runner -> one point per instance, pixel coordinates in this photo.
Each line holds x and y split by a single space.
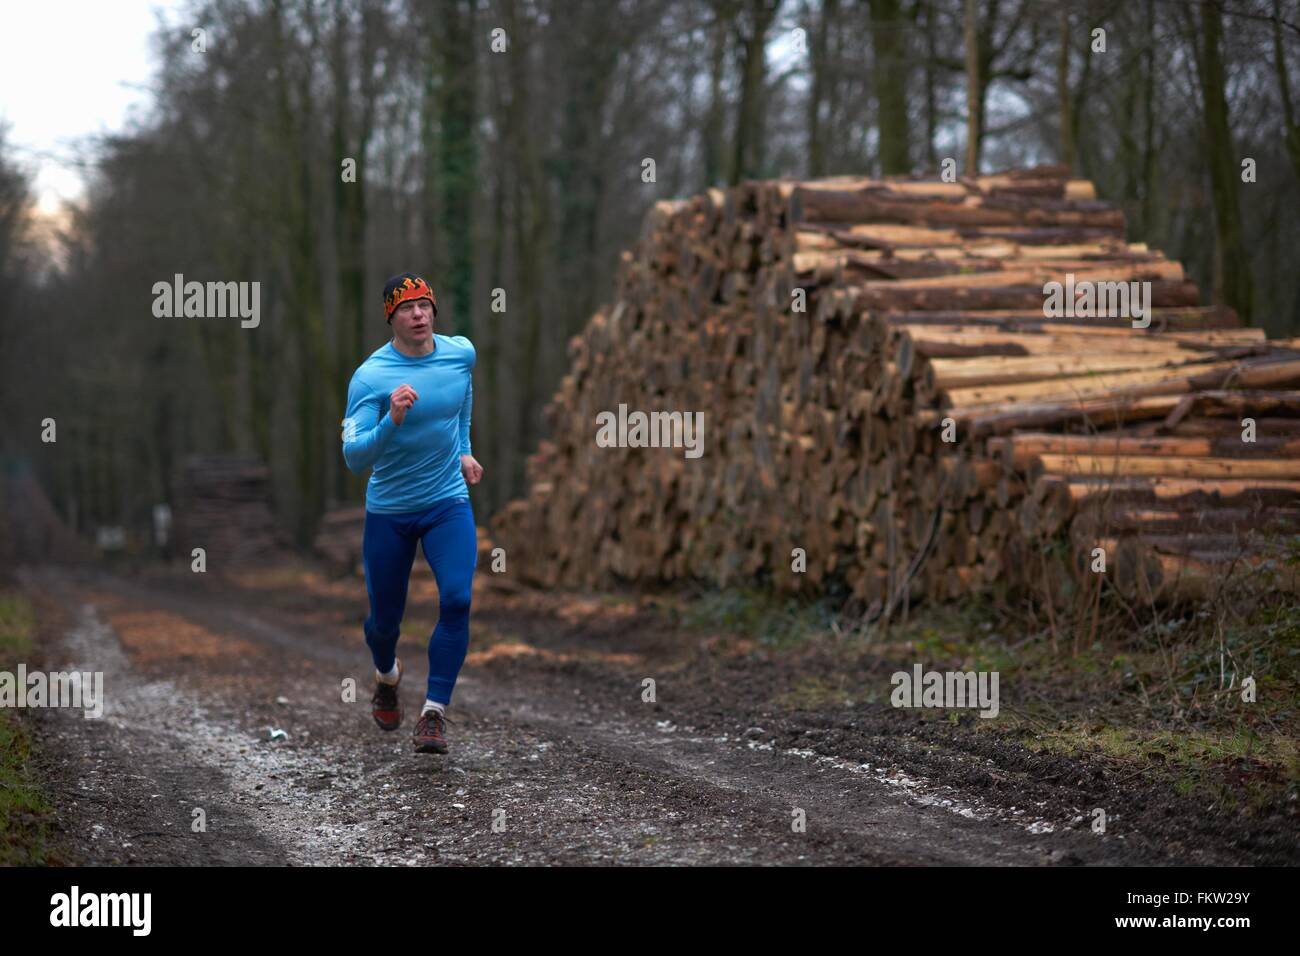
418 462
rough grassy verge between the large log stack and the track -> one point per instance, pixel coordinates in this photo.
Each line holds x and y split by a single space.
1206 703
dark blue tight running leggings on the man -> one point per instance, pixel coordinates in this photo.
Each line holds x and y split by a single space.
447 531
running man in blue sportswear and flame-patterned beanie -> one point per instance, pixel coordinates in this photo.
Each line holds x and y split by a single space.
409 417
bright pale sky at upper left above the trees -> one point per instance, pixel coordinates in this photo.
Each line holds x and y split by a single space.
71 70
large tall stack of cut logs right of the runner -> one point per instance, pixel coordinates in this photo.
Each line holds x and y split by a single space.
890 405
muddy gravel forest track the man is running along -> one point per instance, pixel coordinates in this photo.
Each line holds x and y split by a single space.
556 756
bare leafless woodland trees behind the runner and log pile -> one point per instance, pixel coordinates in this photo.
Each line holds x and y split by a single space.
502 145
